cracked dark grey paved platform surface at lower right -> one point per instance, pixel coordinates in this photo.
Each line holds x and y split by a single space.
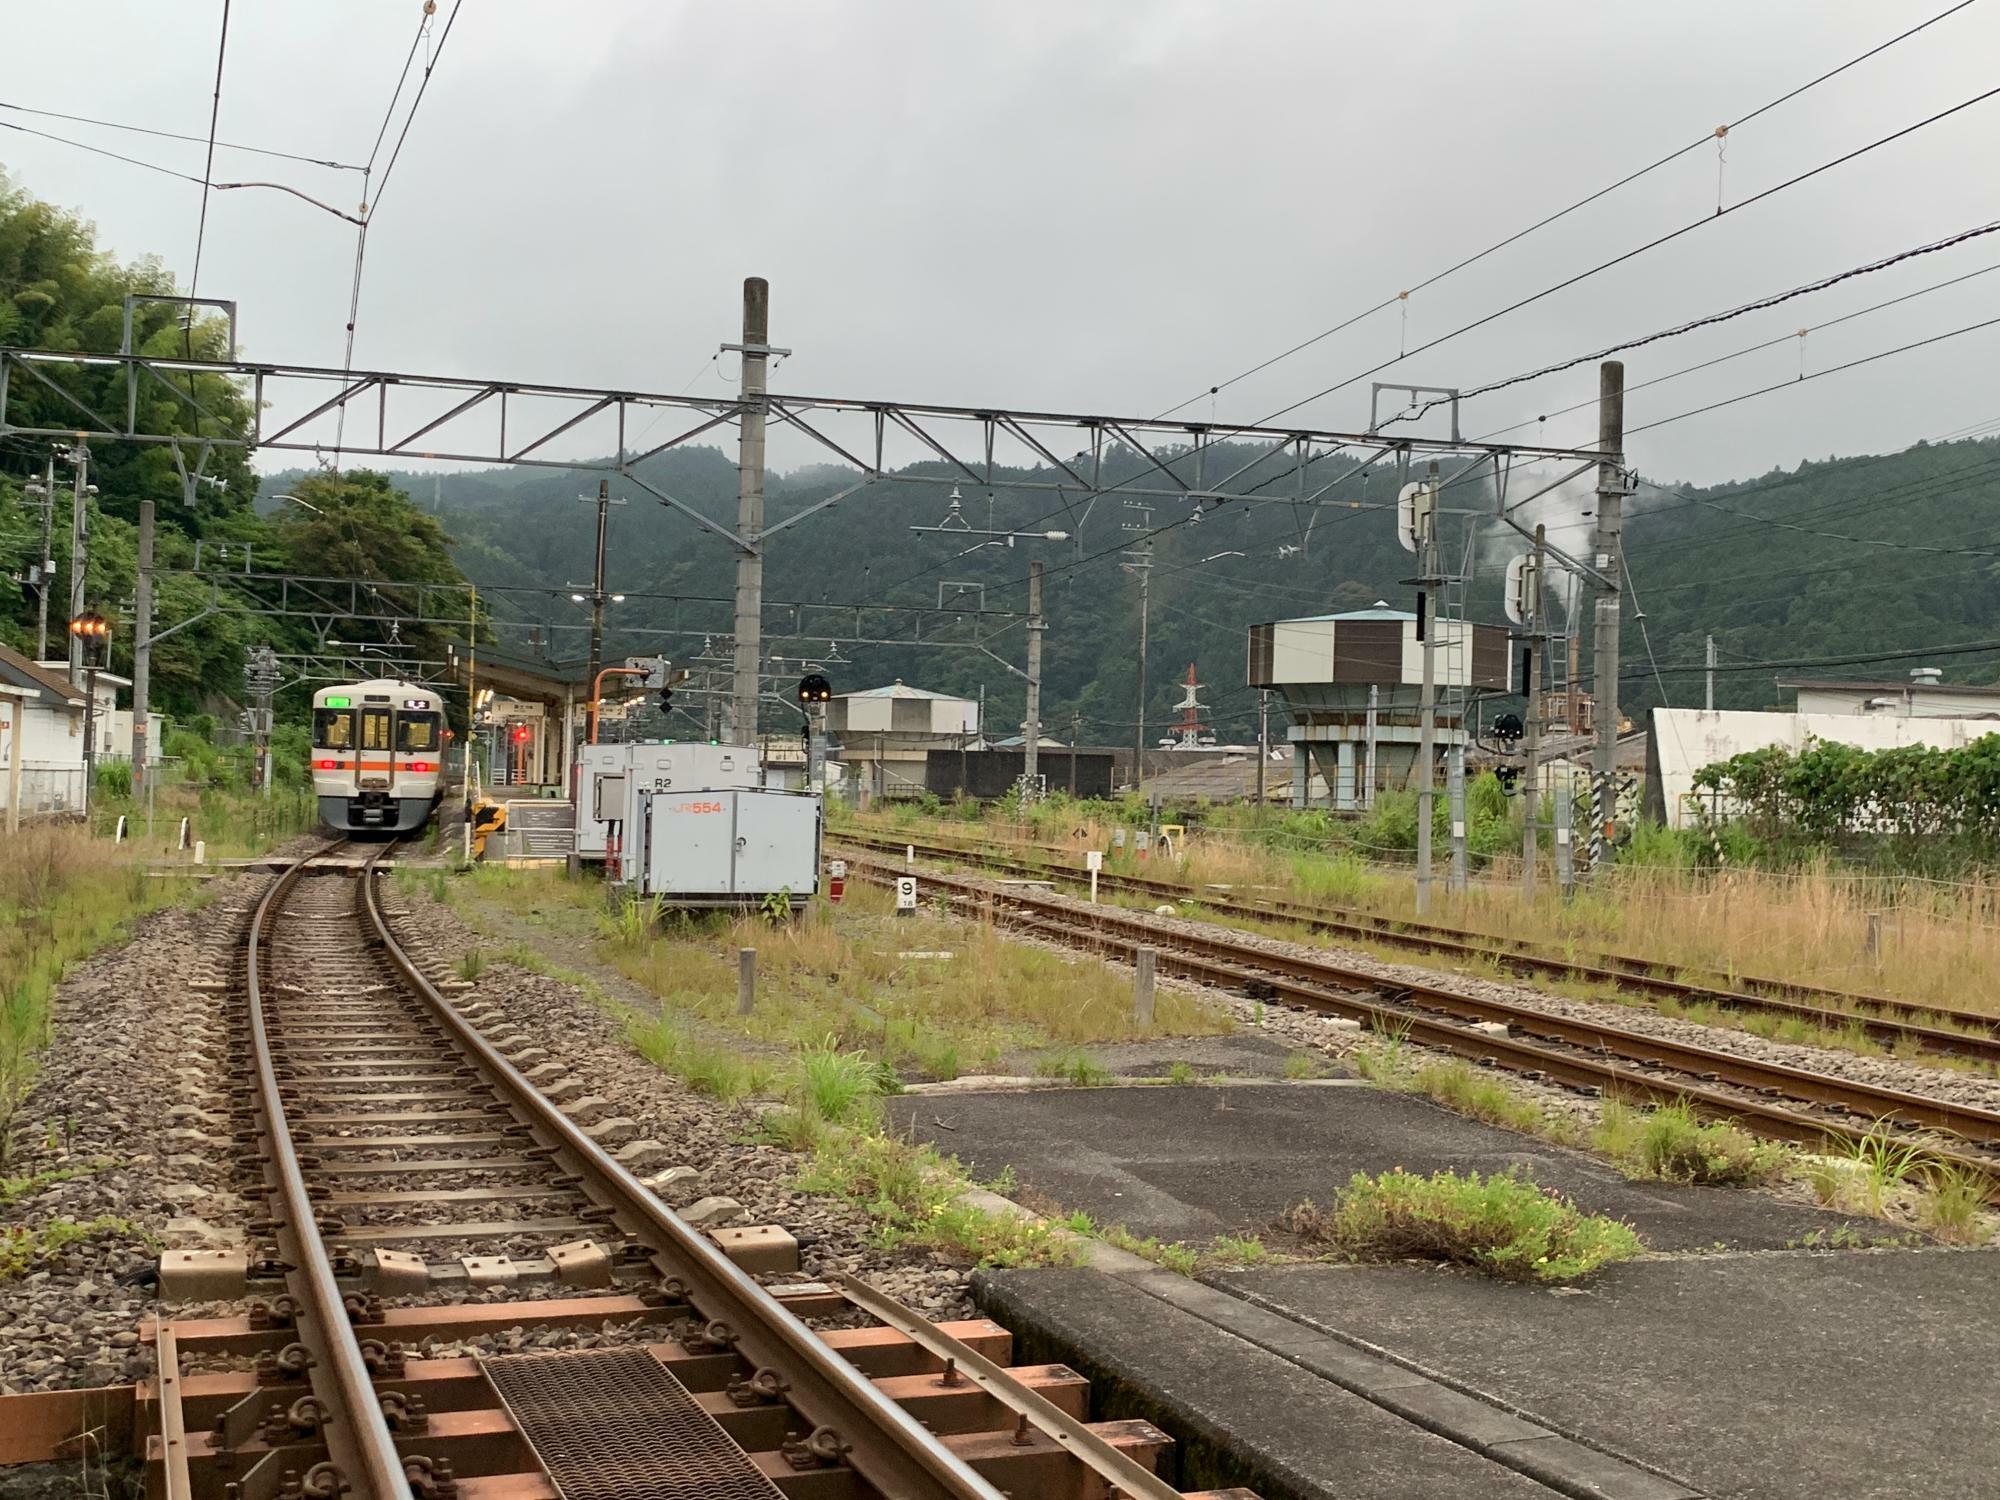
1743 1357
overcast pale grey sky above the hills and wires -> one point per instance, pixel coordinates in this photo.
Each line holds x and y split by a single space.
1069 205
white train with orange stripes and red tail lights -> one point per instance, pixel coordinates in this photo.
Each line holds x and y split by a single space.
377 755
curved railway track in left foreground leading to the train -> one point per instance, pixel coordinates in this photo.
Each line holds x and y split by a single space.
405 1147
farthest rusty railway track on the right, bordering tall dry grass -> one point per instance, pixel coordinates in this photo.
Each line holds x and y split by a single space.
1883 1019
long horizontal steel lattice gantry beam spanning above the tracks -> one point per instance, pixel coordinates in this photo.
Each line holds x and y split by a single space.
423 417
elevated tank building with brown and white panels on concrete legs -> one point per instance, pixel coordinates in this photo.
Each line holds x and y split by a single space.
1325 669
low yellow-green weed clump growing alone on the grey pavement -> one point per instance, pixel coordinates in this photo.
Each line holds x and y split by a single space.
1499 1225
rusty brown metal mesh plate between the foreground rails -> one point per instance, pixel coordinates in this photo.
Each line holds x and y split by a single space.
615 1425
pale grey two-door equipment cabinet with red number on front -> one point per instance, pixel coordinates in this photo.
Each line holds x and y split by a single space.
729 847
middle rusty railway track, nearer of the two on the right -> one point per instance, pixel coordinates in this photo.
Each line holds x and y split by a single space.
1773 1099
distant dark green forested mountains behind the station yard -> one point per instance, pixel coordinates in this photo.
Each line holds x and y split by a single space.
1835 559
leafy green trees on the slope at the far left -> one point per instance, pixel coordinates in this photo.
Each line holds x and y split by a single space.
61 293
